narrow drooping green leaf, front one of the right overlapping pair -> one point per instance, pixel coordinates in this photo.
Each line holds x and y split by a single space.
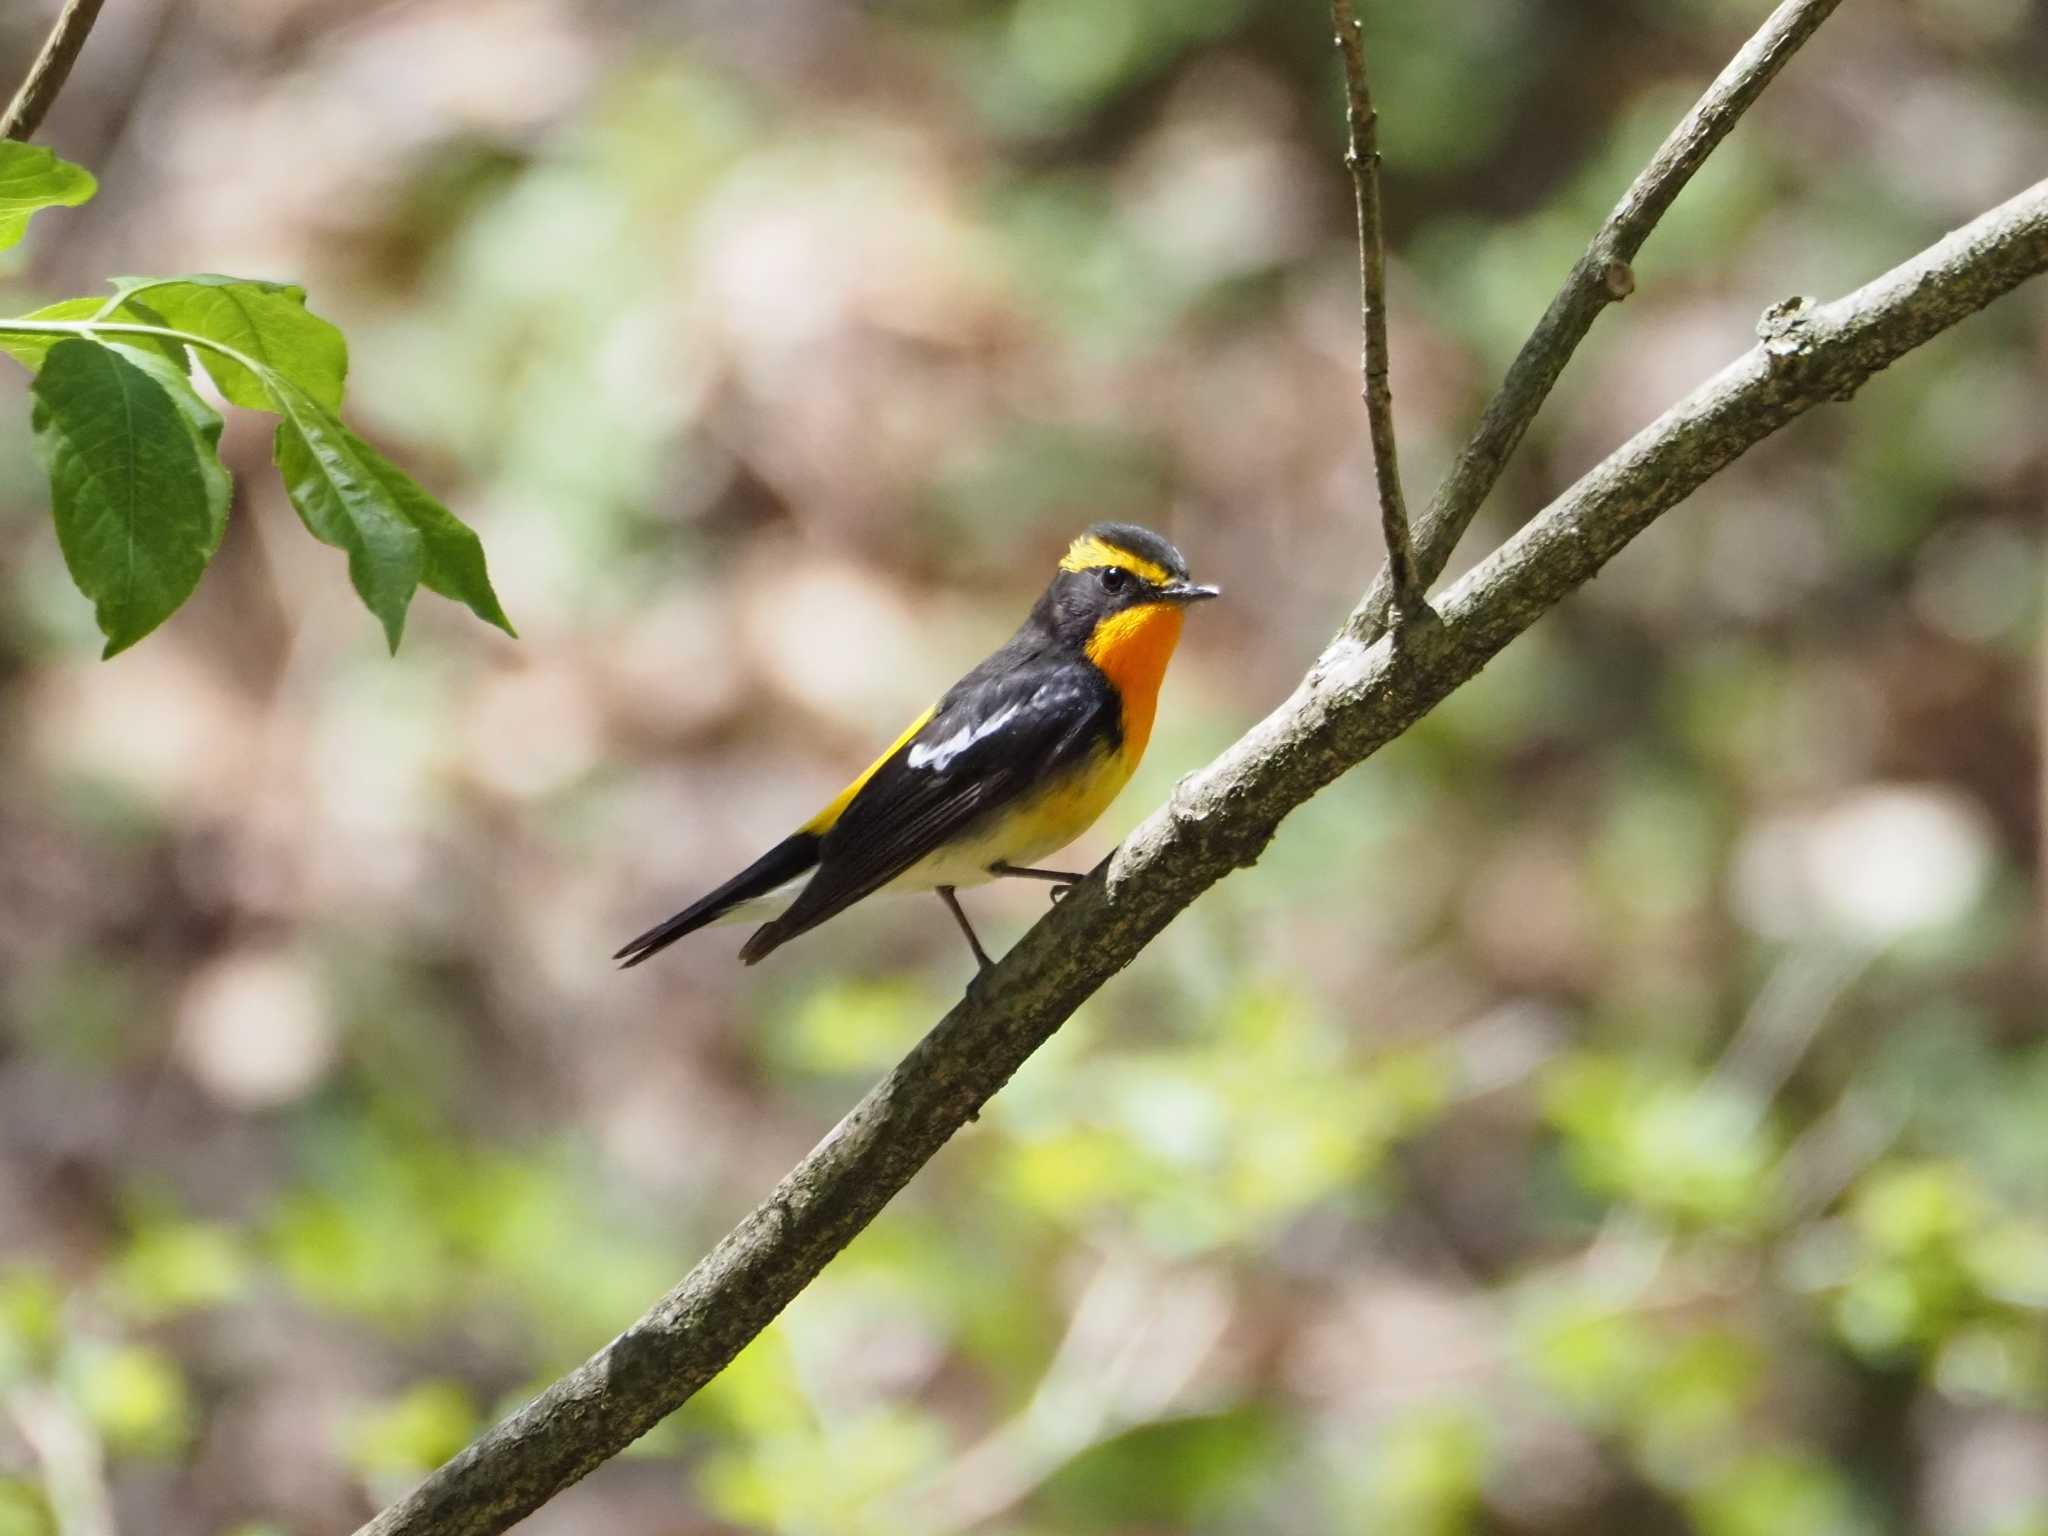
345 503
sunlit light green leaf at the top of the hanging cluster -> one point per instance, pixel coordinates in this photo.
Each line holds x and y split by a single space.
267 323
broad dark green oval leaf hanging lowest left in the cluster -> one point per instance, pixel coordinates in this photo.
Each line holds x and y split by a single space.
138 493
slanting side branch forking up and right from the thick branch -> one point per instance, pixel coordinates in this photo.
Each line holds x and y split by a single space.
1601 278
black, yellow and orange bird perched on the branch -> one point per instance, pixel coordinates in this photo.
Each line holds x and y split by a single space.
1009 767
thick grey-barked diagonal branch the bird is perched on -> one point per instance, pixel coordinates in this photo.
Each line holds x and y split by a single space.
1357 699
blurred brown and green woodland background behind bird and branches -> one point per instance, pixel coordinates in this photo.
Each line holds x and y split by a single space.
1621 1107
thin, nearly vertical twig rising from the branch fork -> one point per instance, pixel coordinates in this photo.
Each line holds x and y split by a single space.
1363 159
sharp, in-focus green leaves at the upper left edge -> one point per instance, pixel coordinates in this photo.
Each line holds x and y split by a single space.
138 490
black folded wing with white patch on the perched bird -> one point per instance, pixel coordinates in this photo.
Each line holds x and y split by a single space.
1002 730
